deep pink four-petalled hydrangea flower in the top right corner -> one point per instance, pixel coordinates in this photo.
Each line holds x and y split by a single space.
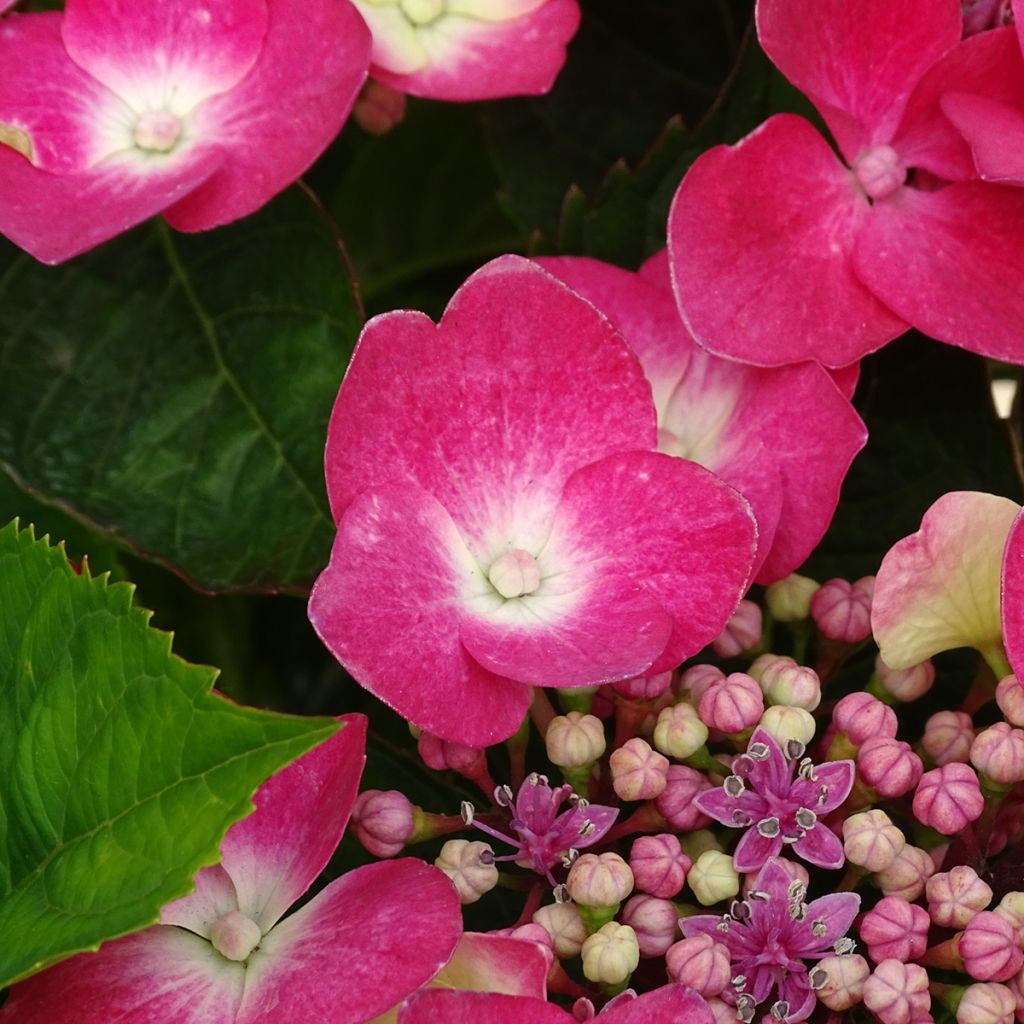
784 252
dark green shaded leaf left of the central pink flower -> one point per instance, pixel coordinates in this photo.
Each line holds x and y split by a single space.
176 390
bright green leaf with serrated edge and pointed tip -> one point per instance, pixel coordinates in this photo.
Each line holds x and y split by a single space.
120 773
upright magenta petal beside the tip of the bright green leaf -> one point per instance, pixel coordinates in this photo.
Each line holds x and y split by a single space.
275 856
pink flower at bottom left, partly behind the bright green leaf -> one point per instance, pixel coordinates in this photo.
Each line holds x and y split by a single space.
225 955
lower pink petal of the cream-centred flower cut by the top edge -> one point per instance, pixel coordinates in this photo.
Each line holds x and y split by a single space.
468 60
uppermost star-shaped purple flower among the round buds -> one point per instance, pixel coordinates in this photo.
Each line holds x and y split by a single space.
780 797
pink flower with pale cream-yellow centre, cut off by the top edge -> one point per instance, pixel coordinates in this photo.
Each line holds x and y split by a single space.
470 50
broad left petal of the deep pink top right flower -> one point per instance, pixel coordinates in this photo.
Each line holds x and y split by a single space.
760 237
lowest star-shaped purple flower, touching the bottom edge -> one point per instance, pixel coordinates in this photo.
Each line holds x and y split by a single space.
771 935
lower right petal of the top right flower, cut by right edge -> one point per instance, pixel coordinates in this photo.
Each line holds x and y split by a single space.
951 263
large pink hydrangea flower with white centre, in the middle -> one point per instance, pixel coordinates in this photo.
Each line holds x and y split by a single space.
503 519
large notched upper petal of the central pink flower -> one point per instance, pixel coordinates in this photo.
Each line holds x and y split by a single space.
491 412
